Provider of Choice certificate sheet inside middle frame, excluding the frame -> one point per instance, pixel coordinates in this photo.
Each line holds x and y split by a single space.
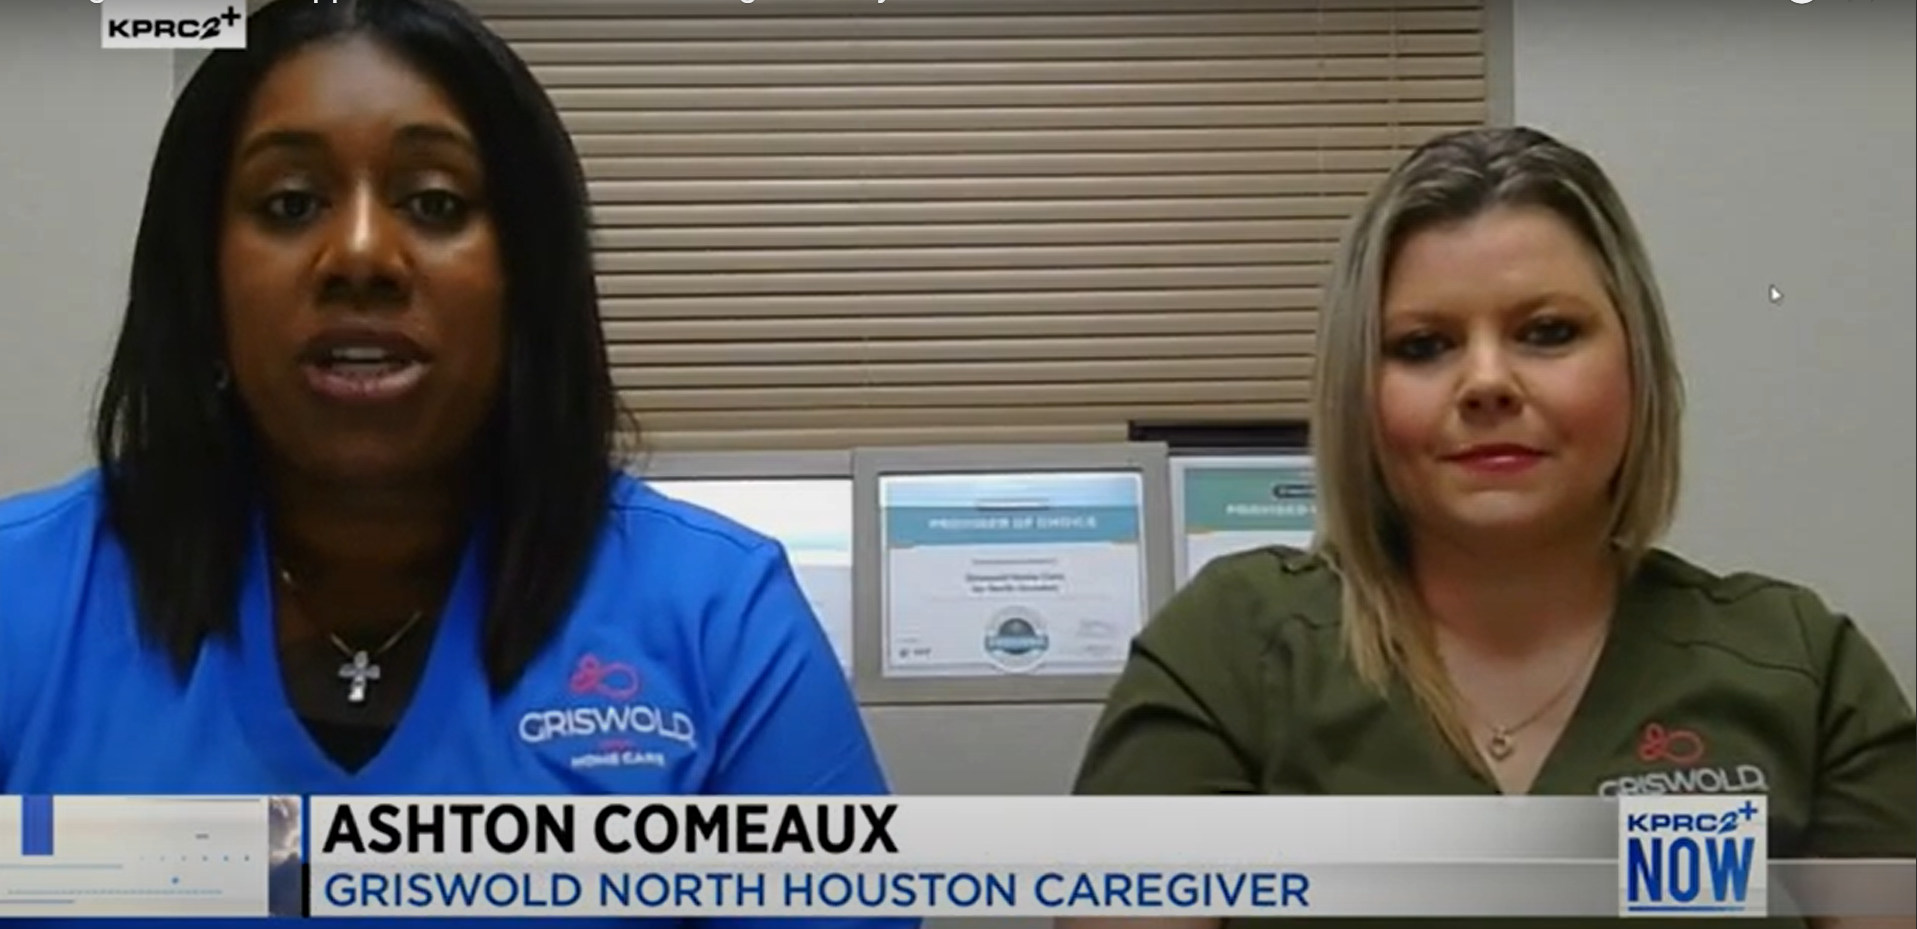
1011 574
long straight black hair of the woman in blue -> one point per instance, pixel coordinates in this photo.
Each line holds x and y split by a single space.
175 445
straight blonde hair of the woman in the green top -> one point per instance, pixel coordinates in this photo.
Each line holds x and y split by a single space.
1362 532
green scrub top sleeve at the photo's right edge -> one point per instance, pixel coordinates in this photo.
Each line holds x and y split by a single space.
1864 805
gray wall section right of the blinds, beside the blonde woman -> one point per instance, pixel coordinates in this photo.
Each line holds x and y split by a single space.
1768 145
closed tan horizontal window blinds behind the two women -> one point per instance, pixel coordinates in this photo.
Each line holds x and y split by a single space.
841 223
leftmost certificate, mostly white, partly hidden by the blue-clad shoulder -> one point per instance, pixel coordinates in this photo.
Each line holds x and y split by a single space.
810 518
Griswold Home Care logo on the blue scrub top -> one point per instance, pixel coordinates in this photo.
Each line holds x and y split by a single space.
607 723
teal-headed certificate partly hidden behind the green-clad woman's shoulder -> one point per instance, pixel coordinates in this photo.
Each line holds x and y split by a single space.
1237 505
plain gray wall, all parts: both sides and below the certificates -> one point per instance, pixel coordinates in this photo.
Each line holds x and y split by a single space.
1761 145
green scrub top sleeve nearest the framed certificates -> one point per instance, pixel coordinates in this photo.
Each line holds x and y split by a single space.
1186 714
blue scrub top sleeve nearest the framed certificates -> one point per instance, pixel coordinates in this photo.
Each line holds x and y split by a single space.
789 723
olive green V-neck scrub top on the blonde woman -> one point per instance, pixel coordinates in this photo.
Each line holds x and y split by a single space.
1707 685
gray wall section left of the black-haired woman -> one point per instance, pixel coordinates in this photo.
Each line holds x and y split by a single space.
78 129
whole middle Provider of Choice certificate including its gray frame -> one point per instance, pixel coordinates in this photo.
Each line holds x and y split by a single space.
1005 574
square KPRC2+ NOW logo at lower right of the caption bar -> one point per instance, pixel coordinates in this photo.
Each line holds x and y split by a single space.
1694 855
